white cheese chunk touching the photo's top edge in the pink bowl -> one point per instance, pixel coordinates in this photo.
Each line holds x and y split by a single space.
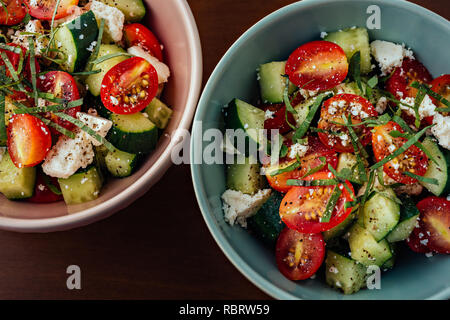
114 19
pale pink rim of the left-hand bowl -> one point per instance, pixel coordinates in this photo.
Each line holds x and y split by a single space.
151 176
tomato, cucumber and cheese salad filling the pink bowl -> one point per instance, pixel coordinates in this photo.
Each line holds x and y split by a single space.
79 96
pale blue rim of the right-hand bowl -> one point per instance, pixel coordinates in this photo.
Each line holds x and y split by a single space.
246 270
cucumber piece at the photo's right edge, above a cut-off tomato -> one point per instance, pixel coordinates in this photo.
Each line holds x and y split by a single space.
437 171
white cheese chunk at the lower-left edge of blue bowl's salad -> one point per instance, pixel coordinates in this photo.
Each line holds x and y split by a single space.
238 206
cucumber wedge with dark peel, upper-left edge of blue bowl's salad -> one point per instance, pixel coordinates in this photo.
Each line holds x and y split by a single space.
244 116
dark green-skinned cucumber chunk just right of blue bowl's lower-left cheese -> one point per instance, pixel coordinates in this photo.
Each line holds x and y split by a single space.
266 223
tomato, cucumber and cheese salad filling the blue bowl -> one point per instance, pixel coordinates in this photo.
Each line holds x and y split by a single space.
362 153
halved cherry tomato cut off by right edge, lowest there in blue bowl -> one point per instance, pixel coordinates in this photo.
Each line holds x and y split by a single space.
435 222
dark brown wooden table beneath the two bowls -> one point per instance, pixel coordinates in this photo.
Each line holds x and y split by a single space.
157 248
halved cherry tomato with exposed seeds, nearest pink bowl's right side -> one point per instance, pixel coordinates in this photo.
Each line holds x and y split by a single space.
129 86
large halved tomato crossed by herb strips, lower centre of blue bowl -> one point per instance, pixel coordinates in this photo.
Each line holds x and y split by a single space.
302 207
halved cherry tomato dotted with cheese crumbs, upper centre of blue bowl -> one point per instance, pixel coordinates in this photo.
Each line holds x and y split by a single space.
344 105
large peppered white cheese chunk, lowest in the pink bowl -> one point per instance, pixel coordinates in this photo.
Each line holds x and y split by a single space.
68 155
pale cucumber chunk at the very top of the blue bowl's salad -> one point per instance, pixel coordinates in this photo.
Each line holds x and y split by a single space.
352 40
